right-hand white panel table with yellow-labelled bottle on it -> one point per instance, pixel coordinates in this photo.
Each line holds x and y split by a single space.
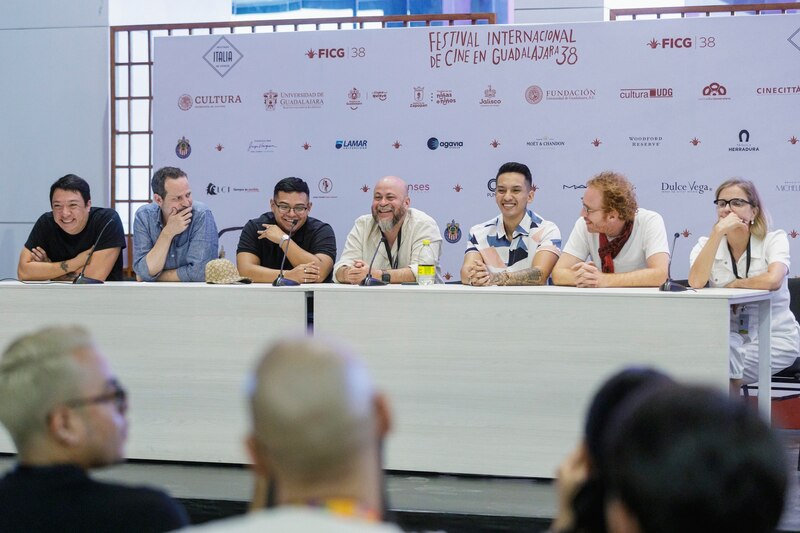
495 381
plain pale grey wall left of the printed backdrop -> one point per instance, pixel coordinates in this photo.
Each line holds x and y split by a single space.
53 110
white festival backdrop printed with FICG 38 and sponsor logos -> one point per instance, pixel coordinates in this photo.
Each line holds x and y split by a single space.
677 105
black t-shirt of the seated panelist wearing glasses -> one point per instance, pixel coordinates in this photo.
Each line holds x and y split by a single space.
314 236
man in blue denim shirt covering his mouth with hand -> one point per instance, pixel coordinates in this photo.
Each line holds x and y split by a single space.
174 237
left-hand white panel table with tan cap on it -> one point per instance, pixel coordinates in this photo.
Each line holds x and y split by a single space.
183 351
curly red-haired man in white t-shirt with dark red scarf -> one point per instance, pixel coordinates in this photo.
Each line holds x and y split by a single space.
615 243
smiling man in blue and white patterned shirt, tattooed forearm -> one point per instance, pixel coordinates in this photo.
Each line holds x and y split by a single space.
518 247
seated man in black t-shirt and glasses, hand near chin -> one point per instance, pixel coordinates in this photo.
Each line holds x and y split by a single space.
309 244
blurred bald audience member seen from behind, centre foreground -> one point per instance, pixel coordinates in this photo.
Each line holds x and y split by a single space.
317 431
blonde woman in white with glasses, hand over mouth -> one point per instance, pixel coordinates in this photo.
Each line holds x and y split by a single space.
741 253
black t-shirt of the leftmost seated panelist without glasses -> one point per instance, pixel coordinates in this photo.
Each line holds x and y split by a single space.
61 246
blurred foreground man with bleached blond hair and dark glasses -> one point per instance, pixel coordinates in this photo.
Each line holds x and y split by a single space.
66 414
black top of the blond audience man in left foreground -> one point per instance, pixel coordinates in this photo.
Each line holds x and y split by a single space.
63 498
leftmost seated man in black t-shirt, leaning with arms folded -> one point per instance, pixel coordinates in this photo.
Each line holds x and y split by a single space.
61 240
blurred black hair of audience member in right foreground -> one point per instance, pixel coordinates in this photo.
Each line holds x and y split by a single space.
691 459
